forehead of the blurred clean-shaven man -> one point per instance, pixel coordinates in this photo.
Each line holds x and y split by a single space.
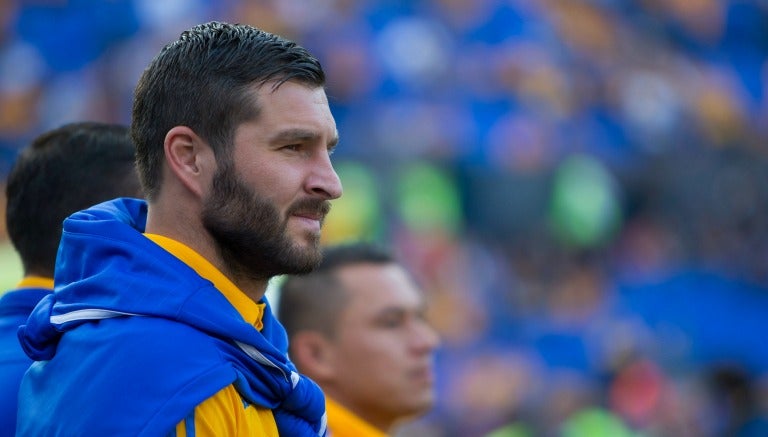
374 287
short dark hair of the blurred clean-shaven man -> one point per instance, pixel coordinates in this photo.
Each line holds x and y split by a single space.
312 301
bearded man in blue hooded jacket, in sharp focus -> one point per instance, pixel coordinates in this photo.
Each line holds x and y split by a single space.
159 325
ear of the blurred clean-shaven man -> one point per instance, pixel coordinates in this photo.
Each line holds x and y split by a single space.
312 353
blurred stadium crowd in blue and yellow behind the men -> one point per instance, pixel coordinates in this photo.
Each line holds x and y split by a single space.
581 186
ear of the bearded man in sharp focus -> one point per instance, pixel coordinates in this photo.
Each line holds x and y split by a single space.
189 158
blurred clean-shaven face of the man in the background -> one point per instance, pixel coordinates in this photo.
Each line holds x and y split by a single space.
383 348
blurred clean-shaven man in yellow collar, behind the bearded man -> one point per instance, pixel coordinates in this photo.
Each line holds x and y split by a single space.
357 327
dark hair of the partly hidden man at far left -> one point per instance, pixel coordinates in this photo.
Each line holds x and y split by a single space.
61 172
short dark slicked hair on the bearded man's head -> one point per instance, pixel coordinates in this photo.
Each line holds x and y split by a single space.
205 81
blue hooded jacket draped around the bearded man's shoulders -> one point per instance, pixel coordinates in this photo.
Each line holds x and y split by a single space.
133 339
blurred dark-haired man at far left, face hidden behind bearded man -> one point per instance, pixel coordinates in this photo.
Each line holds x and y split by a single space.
62 171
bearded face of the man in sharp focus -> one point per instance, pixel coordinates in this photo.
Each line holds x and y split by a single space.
265 207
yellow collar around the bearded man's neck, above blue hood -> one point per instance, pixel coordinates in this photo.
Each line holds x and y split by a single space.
249 310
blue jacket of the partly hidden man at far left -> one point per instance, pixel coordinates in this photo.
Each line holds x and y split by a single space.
15 306
